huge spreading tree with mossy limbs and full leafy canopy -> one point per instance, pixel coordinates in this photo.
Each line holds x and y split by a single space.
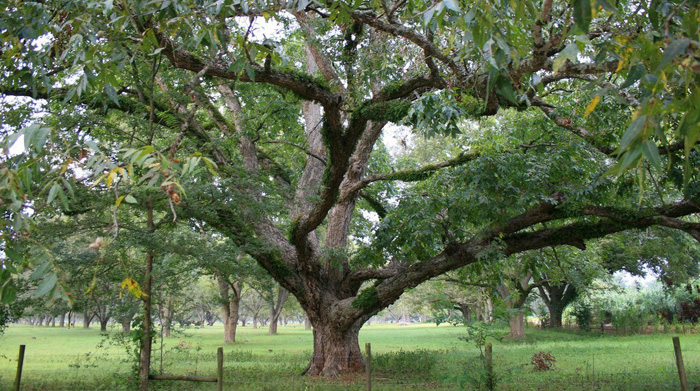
153 139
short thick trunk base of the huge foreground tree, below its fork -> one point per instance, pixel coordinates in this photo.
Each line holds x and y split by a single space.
336 351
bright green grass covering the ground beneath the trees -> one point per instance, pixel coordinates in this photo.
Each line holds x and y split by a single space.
415 357
